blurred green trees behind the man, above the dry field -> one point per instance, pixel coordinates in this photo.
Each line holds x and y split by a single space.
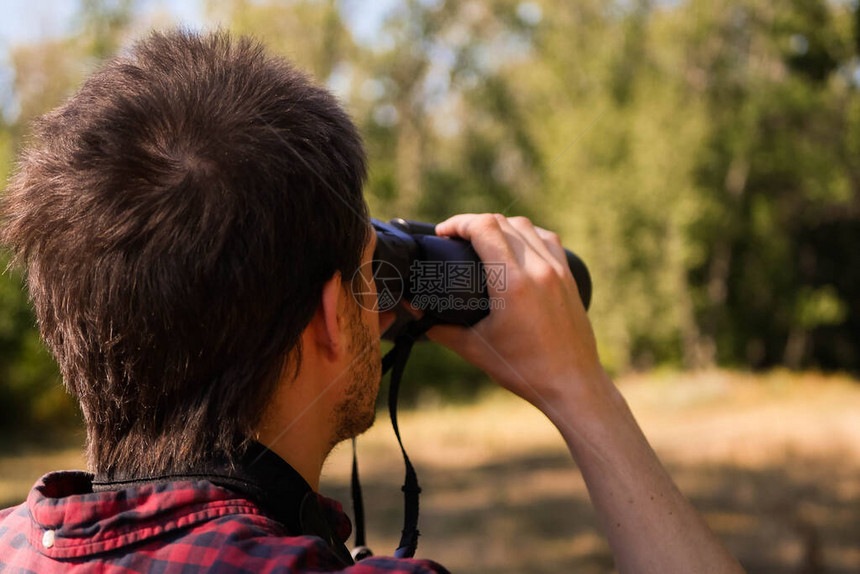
703 158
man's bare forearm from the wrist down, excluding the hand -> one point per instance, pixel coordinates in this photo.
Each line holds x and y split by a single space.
651 527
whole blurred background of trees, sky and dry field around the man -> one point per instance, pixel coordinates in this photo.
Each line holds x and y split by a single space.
703 157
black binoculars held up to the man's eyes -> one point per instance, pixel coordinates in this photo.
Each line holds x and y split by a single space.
442 276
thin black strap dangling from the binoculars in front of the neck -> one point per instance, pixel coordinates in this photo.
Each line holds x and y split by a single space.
395 361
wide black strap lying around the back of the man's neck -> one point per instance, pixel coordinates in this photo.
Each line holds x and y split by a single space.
269 481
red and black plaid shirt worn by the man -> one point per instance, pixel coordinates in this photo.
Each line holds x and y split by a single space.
186 526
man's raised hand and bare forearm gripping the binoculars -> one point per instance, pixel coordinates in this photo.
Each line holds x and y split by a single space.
543 331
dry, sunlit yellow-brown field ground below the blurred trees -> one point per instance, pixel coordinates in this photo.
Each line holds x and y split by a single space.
772 462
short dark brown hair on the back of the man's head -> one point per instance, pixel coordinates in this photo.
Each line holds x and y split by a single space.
177 218
